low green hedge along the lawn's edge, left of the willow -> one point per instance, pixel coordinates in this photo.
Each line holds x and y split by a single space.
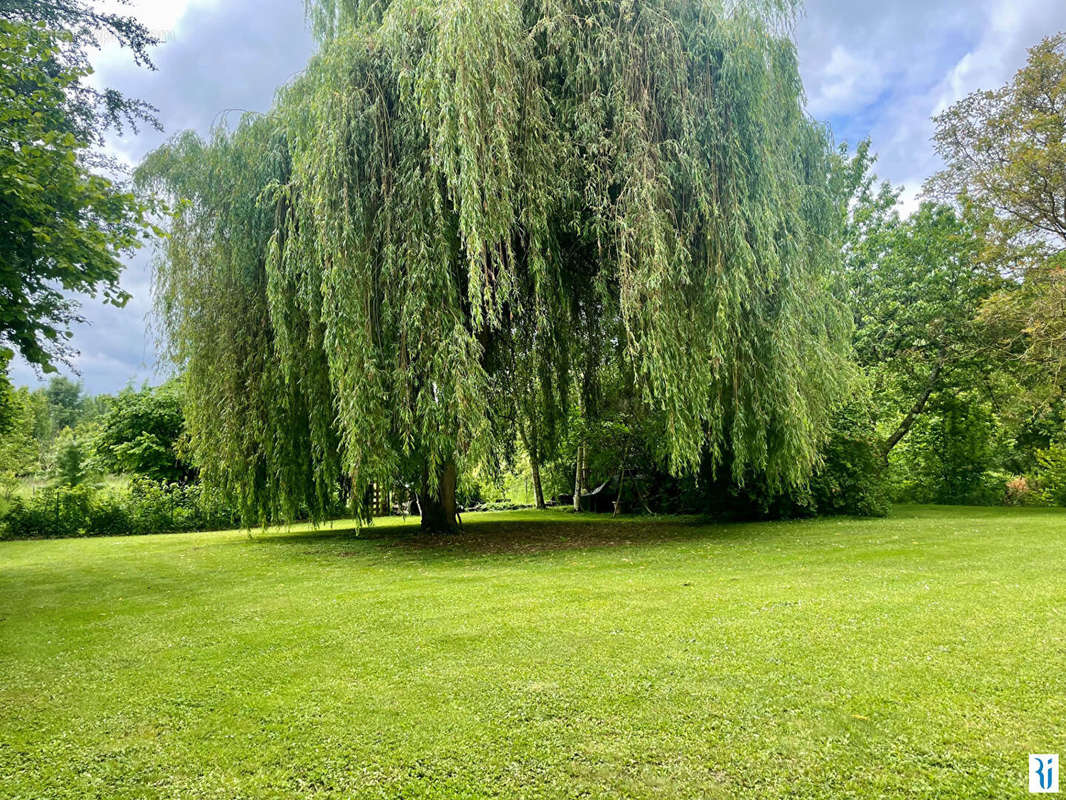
148 507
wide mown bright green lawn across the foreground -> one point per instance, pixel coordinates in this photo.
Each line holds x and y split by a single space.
540 655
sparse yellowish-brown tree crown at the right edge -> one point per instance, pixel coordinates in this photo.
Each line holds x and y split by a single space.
1006 153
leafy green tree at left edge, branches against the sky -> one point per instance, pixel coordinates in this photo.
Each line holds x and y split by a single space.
64 228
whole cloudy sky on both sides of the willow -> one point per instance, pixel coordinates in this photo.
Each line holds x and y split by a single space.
871 70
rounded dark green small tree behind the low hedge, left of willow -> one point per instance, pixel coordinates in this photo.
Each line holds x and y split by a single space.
142 435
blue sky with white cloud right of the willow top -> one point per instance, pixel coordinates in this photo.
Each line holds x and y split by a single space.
883 71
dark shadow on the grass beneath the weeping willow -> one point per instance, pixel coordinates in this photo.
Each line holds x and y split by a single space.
522 535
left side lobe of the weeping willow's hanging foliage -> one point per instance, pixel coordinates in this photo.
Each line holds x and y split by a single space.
262 434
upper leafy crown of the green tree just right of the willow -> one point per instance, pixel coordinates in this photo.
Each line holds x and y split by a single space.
916 287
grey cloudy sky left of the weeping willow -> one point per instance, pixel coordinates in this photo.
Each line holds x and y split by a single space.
220 60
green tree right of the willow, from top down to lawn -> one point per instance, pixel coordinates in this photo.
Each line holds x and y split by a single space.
944 401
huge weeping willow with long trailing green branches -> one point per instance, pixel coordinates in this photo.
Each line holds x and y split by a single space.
451 188
